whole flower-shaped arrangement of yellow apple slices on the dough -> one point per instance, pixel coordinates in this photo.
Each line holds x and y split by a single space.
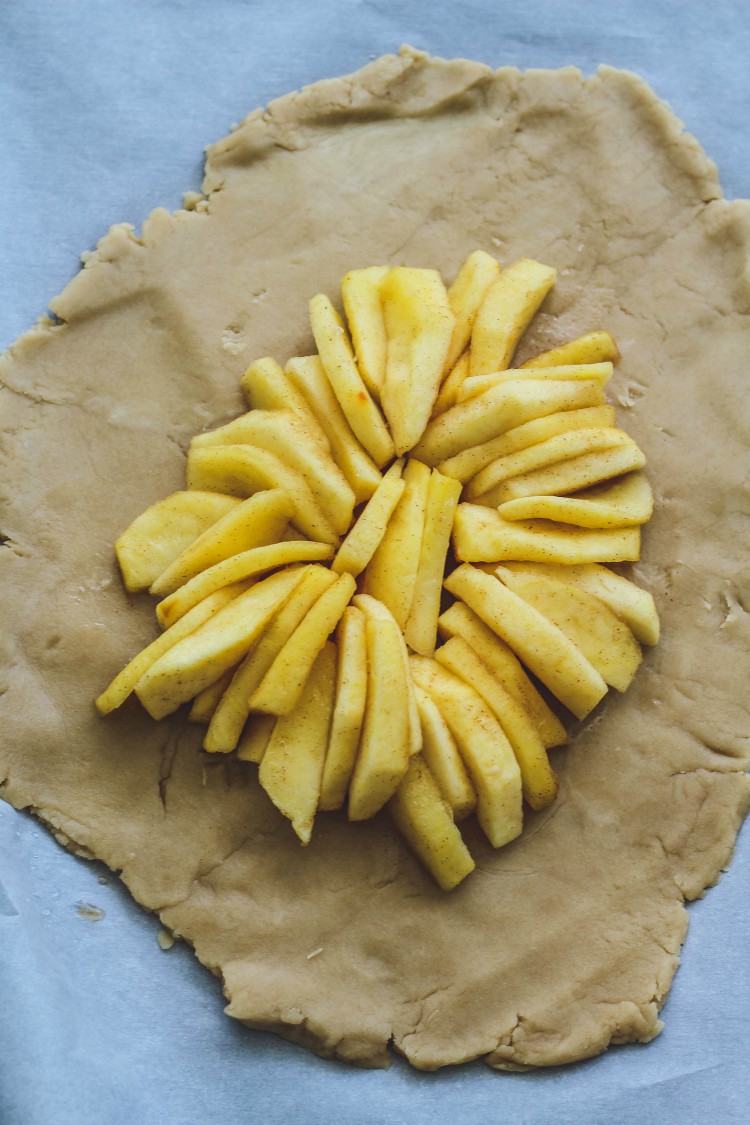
303 572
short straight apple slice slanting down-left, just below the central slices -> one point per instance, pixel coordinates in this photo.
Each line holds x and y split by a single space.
283 685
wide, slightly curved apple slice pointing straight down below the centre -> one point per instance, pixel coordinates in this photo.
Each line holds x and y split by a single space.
385 745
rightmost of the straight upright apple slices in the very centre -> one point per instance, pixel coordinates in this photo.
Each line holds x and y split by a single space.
421 628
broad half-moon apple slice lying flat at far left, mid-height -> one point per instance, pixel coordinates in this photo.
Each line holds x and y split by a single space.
157 537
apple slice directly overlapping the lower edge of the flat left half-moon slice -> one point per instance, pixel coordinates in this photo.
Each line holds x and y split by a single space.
256 523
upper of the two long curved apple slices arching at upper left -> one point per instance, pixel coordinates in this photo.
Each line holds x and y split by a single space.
288 437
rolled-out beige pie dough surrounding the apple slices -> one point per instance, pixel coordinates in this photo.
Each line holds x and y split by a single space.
568 939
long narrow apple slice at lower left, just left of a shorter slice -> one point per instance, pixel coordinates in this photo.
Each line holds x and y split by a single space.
232 712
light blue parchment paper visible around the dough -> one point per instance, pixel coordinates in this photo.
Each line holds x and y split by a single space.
105 110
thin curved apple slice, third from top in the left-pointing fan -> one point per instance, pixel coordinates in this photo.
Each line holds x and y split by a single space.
246 565
